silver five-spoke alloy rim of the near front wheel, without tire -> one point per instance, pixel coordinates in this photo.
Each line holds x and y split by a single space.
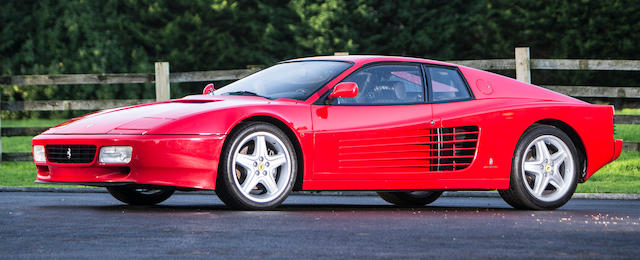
262 167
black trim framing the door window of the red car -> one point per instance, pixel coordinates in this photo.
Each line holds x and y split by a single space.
324 98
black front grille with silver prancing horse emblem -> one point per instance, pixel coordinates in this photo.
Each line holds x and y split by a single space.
71 153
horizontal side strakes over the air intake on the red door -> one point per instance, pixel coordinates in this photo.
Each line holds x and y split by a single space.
423 150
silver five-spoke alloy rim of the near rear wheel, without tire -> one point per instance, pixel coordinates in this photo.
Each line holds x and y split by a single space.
548 168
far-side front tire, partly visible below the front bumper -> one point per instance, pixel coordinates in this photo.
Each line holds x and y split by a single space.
140 196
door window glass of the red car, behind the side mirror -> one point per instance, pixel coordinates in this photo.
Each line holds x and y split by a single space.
386 85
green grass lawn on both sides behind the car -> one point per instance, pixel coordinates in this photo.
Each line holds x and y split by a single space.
621 176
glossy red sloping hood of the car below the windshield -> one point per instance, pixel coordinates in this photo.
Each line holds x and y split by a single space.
140 119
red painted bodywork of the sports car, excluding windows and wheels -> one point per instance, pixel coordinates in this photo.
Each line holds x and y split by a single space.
178 142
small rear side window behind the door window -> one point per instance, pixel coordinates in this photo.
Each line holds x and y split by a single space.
446 84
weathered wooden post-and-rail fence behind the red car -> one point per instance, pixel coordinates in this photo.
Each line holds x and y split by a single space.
522 64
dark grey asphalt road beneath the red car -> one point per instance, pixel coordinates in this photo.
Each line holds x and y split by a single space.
93 225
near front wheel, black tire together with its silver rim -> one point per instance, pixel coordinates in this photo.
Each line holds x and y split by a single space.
232 176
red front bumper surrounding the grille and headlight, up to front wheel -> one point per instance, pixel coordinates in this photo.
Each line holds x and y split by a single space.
189 161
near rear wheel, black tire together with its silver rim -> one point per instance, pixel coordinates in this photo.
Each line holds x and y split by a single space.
557 177
